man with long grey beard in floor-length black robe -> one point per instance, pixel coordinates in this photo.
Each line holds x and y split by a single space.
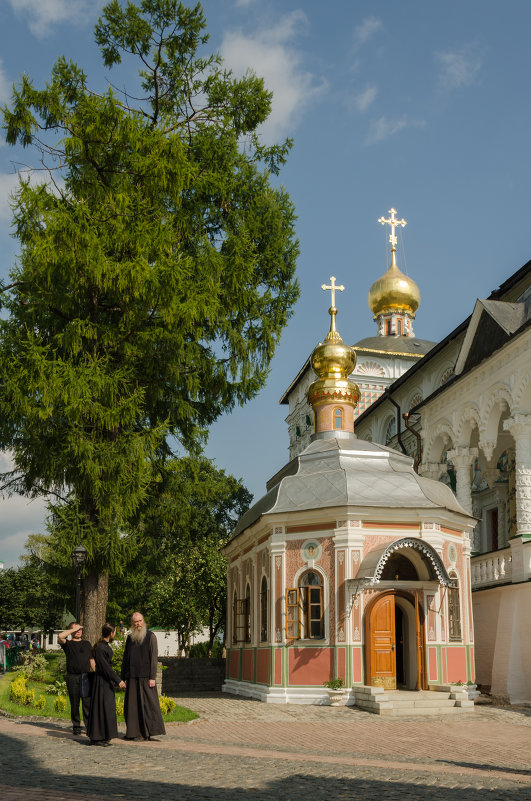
139 670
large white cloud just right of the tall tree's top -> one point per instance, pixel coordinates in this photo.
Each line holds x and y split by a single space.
270 53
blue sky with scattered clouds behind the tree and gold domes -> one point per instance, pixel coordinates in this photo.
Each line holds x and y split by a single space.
417 105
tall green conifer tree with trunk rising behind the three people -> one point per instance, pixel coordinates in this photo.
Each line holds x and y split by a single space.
155 275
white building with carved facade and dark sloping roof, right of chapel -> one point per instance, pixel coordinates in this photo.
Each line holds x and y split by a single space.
474 424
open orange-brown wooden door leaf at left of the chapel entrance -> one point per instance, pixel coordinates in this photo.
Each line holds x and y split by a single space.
380 643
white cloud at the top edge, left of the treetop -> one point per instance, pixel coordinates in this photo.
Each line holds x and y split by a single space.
42 15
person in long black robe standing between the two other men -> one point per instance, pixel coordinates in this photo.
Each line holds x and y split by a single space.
102 718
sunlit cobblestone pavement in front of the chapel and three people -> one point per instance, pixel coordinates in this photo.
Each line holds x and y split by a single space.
242 749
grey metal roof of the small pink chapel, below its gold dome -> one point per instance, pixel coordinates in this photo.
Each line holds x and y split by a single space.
348 471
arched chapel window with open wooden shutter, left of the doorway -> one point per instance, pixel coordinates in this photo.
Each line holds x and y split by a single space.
304 605
